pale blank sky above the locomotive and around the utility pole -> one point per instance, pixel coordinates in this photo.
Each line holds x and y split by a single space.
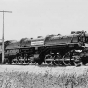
32 18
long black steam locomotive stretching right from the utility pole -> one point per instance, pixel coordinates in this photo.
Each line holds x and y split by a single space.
52 50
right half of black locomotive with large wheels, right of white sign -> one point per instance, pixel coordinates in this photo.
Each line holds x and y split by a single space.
66 50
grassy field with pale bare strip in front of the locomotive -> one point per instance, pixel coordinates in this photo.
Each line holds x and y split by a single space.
29 76
